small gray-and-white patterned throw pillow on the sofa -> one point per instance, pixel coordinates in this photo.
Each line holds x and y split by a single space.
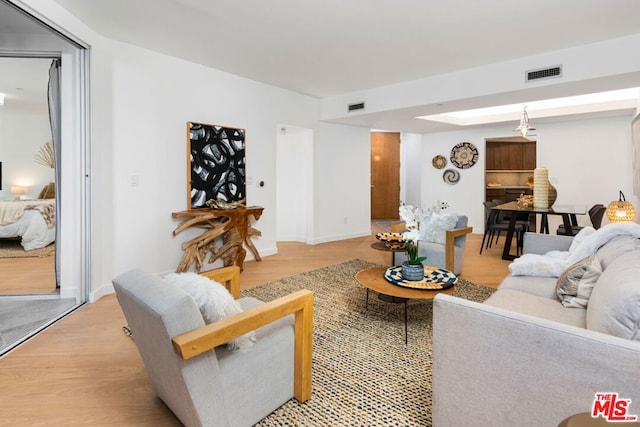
575 284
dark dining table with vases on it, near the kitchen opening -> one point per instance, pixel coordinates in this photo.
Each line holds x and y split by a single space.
568 213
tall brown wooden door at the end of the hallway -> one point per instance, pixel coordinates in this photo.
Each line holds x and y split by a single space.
385 175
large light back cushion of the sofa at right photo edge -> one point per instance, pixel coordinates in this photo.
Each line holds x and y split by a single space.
614 306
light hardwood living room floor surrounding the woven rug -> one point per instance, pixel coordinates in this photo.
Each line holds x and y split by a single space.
84 371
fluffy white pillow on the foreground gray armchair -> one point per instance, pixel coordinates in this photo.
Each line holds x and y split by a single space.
215 303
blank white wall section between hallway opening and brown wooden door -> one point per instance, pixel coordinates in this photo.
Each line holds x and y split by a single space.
342 182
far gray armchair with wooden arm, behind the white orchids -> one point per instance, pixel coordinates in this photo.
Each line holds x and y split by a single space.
448 255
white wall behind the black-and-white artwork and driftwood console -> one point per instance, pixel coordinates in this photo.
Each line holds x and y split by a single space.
154 96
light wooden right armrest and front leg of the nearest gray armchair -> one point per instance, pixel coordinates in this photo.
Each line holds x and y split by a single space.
300 303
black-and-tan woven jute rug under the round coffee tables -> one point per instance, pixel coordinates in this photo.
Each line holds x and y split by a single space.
363 372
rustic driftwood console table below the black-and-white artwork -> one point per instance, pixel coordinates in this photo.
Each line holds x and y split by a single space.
232 225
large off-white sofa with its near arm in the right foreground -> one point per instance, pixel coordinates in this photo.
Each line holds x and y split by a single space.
523 359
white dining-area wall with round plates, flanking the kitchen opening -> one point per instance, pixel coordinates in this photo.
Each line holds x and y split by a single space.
588 162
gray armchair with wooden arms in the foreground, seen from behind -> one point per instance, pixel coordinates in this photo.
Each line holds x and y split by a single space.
200 380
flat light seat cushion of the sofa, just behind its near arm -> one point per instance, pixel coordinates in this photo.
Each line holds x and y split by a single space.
533 305
